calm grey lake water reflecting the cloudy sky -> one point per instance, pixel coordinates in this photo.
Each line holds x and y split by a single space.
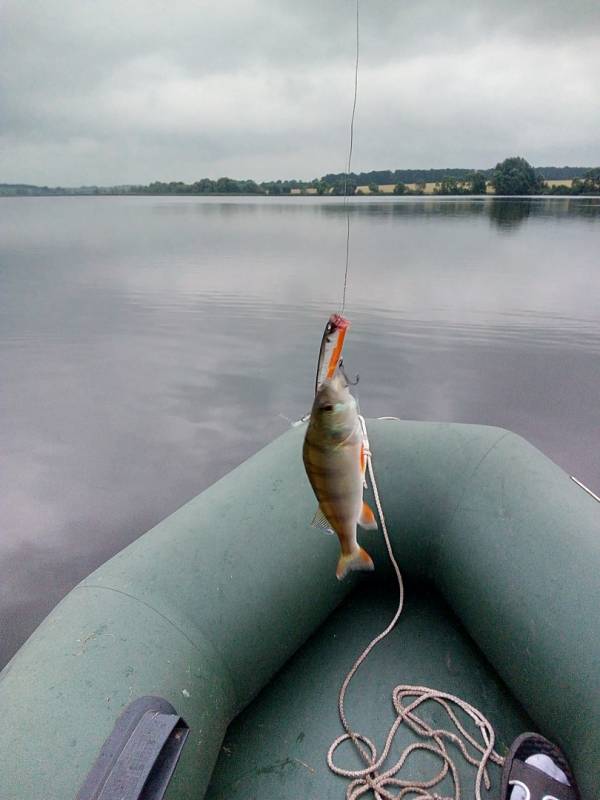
148 345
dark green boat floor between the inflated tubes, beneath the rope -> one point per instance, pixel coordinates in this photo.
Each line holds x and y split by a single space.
276 749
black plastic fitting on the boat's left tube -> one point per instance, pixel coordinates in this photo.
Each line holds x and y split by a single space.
139 757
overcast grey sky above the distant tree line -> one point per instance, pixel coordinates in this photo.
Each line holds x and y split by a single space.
107 91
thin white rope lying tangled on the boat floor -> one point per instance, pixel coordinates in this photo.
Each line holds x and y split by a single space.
406 700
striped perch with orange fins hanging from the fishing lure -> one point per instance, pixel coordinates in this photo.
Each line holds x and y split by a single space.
334 461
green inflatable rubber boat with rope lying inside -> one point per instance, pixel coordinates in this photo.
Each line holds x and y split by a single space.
228 617
